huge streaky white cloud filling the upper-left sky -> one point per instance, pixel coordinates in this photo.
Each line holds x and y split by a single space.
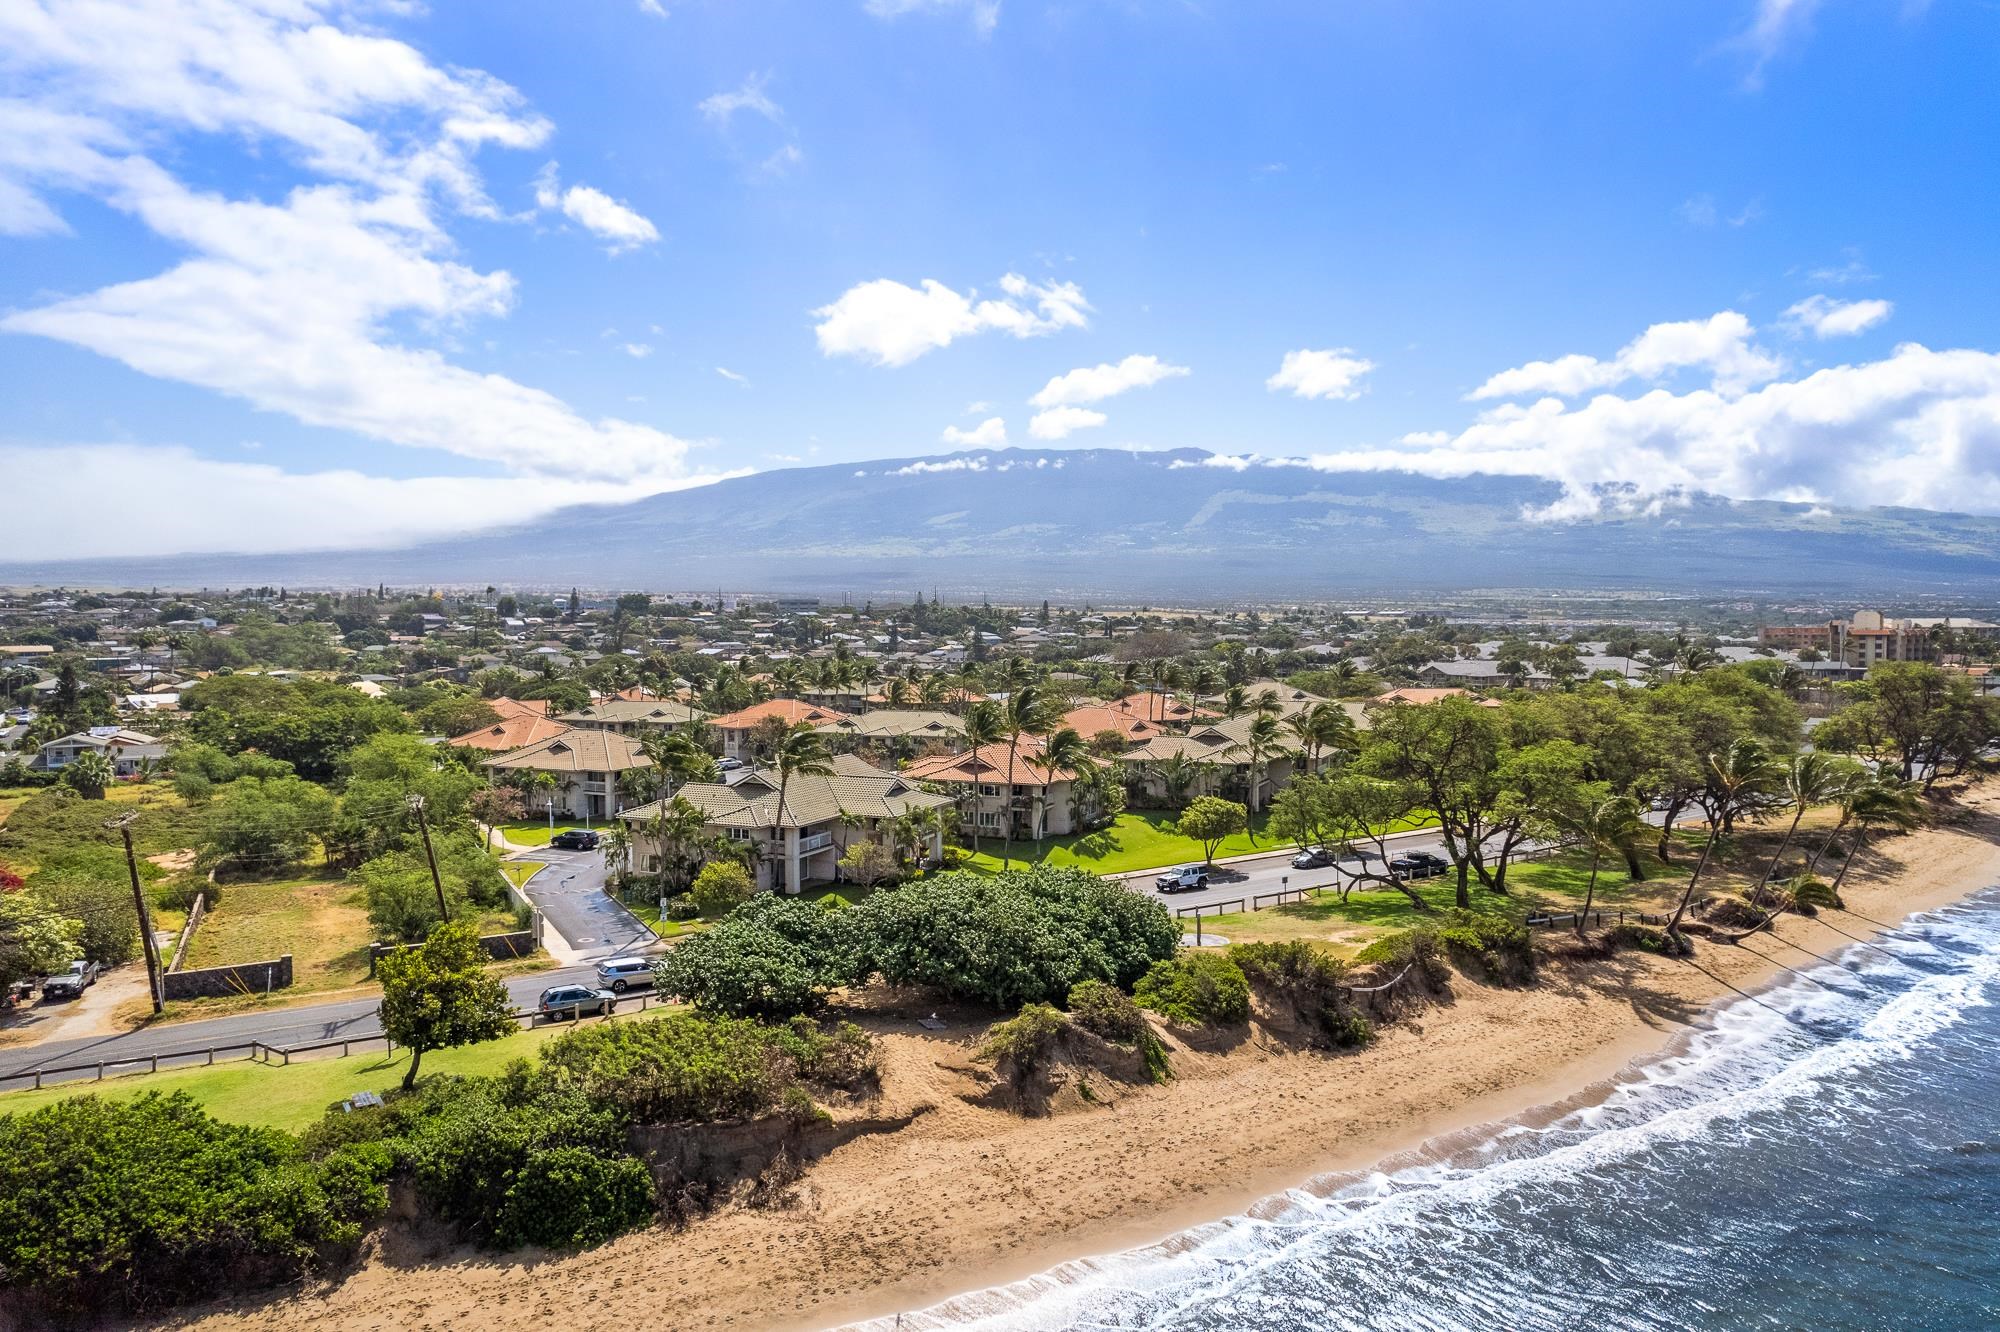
291 305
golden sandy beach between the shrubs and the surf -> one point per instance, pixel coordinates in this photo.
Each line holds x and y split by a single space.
969 1197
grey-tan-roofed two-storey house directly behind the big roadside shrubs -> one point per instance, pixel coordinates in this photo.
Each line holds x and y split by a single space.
805 839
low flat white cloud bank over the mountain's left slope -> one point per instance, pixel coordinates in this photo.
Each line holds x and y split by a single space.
267 509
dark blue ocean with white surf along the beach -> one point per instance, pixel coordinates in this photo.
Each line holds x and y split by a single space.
1825 1155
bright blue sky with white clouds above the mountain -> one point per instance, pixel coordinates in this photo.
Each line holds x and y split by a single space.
289 275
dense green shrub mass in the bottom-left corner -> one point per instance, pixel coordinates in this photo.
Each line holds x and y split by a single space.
127 1205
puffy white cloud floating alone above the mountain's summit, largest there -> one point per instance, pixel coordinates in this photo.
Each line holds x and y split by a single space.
893 325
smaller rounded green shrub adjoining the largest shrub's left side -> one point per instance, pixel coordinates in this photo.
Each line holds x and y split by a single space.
773 957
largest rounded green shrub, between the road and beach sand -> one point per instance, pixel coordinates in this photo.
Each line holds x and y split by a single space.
1021 937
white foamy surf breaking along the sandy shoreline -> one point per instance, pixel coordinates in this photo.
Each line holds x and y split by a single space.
1433 1239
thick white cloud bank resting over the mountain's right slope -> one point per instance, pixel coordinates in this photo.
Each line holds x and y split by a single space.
1917 429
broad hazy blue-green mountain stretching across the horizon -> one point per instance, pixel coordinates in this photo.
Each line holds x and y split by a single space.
1141 525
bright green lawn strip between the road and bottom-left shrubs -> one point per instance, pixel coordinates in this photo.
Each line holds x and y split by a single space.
295 1095
